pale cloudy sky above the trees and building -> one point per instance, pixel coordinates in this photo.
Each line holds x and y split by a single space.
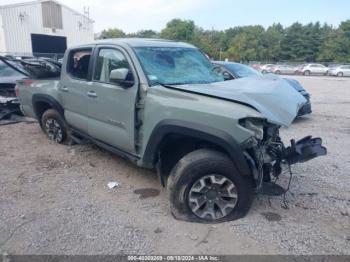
134 15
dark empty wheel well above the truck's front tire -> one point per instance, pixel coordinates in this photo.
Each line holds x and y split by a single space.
173 147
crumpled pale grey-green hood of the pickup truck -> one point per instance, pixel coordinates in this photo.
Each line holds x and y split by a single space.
274 98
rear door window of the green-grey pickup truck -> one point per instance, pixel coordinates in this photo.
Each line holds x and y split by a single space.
78 63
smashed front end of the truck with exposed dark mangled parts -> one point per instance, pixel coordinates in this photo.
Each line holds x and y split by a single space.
268 156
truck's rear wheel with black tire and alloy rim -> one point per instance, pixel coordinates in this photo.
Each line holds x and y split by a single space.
55 127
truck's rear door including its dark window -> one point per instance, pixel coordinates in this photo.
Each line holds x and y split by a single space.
74 85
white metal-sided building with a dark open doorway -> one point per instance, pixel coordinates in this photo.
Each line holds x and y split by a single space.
43 26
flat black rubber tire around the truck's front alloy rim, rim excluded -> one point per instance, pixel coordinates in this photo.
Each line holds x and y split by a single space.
199 164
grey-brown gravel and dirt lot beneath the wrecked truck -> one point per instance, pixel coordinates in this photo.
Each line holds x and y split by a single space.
54 199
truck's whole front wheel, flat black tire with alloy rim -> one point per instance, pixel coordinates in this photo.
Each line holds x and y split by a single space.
205 186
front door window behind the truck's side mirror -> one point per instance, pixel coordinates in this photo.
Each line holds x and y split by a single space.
107 60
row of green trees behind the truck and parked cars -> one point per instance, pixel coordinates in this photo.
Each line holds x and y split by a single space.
297 43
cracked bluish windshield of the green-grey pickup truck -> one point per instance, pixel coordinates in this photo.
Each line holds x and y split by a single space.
176 66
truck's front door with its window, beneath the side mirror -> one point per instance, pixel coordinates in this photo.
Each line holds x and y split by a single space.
111 107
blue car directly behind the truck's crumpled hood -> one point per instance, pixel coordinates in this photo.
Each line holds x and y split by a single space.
235 70
